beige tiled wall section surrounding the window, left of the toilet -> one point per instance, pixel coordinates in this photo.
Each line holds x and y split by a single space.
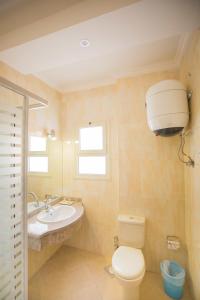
100 197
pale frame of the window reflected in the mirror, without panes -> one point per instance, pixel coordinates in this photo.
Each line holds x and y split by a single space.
39 154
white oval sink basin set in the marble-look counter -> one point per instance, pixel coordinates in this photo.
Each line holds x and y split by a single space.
56 214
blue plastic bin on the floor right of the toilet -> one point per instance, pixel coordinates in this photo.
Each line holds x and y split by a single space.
173 278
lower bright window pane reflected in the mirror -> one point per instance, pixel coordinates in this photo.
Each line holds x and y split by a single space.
38 164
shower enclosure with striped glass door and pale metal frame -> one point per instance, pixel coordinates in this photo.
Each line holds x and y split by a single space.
15 103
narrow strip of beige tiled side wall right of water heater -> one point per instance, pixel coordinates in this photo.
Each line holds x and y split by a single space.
190 74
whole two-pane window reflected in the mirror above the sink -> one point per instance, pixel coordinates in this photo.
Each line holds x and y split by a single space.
38 161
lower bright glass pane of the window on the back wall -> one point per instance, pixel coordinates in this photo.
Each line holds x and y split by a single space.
92 165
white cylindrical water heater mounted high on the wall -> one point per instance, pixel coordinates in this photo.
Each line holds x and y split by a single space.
167 107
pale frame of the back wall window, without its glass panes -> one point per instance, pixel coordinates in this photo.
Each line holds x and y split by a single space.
103 152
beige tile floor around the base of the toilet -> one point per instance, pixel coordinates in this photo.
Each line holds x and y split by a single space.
72 274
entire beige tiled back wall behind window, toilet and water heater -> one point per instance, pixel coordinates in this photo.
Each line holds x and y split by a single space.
146 176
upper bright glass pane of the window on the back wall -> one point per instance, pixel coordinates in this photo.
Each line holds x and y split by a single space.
91 138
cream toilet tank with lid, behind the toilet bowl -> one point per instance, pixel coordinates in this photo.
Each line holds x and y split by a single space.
131 230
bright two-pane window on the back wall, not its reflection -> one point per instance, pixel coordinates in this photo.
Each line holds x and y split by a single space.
92 156
